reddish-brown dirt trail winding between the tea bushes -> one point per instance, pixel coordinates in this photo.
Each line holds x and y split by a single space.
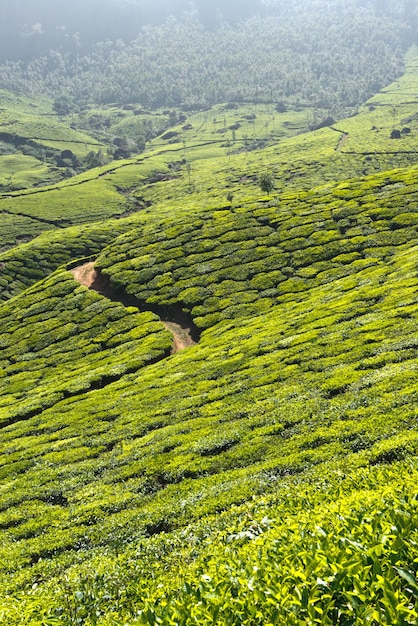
184 335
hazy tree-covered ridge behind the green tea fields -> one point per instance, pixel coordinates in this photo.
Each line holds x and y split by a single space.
327 54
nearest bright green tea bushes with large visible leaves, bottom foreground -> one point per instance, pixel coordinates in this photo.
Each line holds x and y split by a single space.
337 549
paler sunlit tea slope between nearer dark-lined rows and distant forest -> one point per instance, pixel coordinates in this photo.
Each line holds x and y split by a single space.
202 173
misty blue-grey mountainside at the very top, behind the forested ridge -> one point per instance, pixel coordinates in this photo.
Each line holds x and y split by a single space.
29 29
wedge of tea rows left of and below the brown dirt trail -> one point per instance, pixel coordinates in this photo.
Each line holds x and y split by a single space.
59 340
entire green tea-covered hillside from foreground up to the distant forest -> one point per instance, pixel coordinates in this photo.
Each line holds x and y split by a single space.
265 473
